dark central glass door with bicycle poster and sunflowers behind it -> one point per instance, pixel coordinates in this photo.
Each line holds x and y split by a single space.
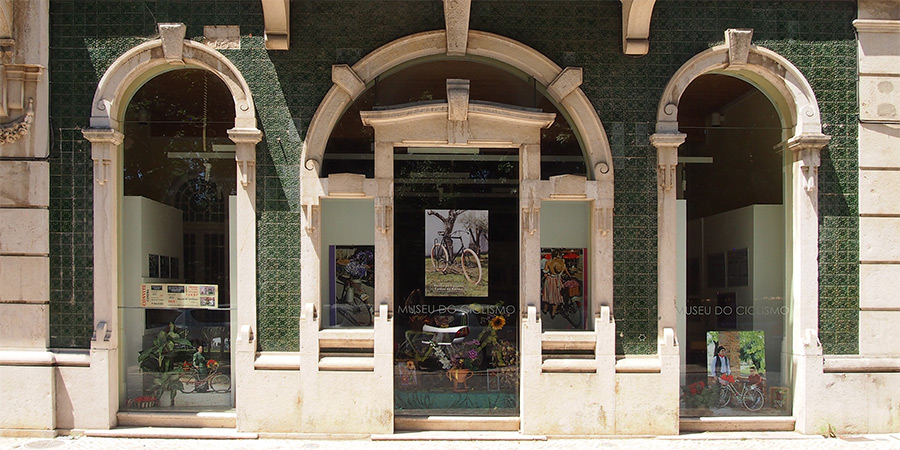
456 282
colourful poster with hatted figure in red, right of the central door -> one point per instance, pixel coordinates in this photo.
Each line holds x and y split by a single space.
564 288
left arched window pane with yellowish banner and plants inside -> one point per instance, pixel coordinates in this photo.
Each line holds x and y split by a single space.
178 175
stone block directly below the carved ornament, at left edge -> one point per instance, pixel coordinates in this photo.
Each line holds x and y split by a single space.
25 183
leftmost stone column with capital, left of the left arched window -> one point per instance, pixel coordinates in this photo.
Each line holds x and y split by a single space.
104 343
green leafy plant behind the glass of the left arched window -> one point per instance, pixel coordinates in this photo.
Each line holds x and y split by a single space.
159 360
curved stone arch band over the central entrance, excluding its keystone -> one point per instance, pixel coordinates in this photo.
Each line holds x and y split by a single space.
562 85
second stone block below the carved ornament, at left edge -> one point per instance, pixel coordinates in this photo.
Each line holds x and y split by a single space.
24 231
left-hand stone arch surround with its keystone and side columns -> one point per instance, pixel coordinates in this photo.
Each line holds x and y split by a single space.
115 90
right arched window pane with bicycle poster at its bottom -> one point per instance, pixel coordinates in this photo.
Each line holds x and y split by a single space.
730 183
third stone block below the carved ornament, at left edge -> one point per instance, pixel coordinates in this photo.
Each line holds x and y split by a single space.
24 278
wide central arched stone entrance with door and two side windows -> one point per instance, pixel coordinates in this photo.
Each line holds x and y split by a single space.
424 181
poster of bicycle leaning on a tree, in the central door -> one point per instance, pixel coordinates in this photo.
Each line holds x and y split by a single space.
456 253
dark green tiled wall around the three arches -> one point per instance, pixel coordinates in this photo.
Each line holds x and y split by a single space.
86 36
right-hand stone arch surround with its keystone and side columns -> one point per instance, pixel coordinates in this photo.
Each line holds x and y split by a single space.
797 106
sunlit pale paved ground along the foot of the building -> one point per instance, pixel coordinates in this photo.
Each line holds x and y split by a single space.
714 441
